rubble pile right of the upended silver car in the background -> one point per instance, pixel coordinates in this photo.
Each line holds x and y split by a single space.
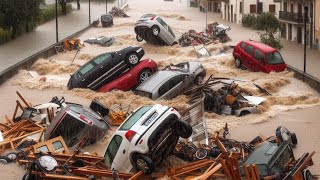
214 33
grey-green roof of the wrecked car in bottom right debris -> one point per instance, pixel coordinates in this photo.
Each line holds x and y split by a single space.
264 153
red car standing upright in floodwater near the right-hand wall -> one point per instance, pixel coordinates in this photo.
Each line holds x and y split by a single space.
257 56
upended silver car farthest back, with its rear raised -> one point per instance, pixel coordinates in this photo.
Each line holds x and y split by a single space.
153 29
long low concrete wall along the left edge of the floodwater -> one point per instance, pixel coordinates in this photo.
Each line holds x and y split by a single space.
28 62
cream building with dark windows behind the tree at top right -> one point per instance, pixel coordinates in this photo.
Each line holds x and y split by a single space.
233 10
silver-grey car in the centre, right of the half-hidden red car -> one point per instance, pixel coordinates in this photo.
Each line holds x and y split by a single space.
172 81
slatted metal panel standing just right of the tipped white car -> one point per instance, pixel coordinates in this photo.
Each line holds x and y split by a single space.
195 116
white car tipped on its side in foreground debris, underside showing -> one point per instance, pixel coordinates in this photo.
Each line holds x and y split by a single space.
145 139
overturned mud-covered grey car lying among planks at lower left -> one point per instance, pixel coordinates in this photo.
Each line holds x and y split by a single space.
78 125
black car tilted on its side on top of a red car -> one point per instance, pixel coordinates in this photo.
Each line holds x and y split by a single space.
104 68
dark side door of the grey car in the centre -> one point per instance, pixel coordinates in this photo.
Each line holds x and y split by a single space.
172 87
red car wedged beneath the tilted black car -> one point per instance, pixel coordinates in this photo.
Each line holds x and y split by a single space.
132 77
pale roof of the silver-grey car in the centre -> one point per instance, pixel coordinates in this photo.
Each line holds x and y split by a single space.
155 80
